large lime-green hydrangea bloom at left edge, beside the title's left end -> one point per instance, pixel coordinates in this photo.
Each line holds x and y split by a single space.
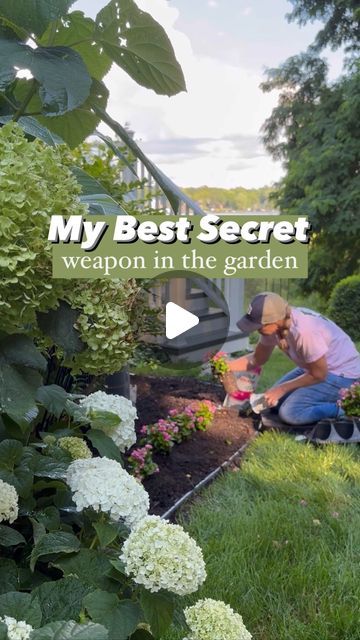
34 184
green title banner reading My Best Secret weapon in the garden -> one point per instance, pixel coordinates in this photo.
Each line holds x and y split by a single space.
236 246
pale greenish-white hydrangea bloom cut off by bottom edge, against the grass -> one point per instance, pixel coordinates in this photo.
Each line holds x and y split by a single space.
214 620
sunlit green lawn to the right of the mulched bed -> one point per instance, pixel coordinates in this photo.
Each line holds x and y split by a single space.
281 540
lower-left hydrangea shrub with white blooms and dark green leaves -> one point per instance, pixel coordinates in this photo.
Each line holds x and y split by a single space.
77 524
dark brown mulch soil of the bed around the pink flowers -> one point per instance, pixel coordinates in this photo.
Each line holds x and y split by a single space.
192 460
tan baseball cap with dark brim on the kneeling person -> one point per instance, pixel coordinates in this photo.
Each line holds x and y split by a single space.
265 308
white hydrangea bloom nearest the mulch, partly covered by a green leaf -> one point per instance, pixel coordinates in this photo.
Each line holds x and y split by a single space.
123 433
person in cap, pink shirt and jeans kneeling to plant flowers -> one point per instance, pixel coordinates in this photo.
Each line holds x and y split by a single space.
326 358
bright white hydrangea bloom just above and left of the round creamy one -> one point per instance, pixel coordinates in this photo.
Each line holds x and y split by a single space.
105 486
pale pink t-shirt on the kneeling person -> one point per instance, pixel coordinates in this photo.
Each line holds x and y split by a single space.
312 336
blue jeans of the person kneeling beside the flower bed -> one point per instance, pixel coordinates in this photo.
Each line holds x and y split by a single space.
310 404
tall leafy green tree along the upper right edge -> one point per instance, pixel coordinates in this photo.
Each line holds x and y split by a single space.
315 131
